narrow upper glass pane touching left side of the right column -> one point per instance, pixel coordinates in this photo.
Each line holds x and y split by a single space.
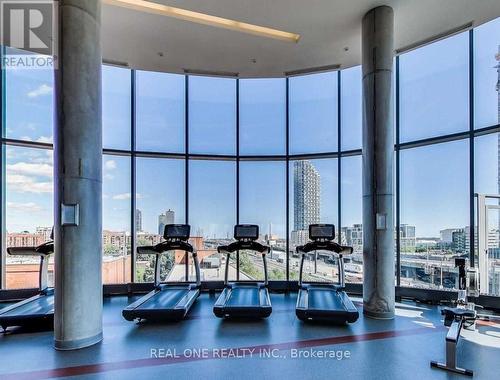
351 103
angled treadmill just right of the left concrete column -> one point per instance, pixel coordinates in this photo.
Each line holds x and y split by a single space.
167 301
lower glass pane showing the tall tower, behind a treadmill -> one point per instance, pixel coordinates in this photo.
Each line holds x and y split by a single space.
313 199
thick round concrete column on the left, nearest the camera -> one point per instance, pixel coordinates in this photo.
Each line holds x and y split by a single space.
78 176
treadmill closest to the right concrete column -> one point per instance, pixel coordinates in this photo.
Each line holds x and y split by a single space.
319 301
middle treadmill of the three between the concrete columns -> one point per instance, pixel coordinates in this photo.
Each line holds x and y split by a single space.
244 299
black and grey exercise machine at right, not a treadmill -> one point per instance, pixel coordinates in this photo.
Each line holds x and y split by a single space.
462 316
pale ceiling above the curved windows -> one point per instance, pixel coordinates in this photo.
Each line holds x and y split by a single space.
330 33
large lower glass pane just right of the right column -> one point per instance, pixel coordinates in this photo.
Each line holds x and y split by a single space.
434 209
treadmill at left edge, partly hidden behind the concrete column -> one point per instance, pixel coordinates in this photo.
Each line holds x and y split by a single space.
37 311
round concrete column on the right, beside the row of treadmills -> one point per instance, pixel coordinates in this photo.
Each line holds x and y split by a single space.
378 156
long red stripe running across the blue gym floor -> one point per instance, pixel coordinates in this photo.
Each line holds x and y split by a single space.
152 362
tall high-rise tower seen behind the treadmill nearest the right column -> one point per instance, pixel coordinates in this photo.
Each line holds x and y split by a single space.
306 199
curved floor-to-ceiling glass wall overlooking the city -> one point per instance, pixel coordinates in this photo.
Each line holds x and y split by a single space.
278 152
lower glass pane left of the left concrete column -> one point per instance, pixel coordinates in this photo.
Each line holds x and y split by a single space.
29 212
